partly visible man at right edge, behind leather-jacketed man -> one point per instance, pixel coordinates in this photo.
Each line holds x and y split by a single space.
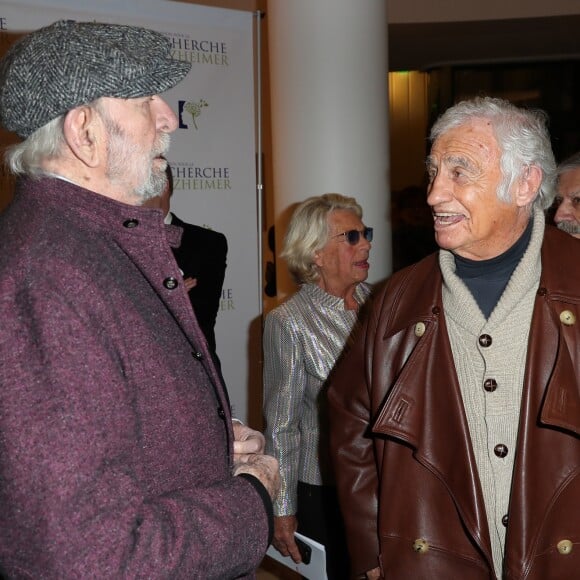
567 216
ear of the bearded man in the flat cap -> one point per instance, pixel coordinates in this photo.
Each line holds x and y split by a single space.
82 131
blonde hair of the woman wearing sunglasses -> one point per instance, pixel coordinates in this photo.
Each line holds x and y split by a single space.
308 233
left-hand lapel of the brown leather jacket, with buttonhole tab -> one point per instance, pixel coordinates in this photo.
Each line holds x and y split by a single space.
424 407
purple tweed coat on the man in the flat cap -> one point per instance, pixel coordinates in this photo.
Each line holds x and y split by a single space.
115 430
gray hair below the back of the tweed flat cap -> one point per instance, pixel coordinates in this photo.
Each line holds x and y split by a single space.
28 157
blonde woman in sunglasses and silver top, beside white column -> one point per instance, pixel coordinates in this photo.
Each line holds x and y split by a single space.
326 249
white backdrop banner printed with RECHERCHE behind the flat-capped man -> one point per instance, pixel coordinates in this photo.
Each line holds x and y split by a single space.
213 150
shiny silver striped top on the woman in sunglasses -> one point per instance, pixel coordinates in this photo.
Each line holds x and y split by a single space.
302 341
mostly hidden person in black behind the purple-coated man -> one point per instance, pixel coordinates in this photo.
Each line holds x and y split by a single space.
201 256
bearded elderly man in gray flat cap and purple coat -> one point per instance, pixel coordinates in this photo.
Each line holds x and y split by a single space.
118 457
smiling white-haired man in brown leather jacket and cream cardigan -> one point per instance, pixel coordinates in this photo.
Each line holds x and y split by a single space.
455 417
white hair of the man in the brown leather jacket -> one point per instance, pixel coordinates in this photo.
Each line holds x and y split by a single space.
522 136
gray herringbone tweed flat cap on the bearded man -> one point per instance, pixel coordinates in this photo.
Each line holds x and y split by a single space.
57 68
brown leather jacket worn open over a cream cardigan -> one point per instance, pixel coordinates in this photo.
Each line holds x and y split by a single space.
405 468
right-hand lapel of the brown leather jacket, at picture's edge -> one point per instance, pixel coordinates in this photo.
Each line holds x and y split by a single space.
548 452
